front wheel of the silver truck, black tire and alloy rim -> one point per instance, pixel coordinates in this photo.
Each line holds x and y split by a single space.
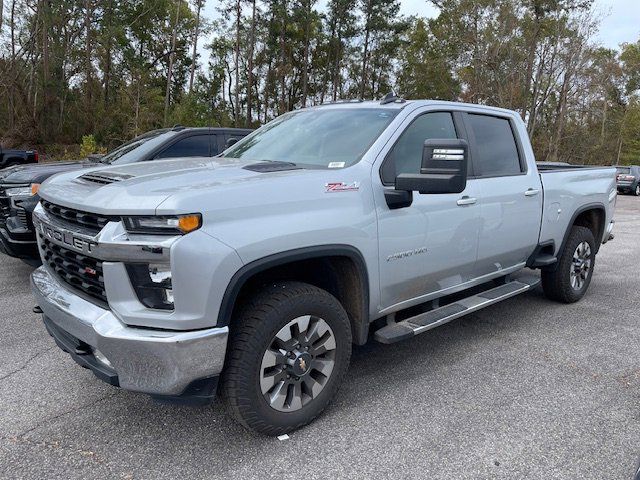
267 391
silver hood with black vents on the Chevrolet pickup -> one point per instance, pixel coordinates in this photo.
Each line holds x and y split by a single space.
139 188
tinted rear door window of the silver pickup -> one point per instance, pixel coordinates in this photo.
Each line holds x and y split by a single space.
496 150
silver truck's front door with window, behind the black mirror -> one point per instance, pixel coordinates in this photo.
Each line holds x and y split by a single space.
431 245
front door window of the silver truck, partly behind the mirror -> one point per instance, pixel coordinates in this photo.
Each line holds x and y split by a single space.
406 154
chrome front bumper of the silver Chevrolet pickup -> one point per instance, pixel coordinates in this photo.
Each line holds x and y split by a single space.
157 362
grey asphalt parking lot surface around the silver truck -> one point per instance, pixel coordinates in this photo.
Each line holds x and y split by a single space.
524 389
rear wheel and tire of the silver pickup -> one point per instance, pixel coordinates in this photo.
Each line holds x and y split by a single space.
578 256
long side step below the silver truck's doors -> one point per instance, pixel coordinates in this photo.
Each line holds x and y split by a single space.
426 321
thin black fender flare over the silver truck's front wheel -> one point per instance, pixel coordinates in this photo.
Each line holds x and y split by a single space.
240 278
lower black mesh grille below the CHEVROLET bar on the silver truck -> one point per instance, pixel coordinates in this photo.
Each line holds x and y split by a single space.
80 271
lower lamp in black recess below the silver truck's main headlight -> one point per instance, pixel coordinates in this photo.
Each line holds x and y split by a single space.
152 283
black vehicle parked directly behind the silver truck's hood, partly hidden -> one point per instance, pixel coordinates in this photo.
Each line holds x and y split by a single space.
19 185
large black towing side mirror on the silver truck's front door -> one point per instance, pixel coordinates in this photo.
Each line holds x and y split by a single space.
443 170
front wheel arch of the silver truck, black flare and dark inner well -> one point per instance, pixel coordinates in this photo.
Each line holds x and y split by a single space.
339 269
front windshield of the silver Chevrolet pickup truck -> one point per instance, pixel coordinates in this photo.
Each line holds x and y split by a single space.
326 138
